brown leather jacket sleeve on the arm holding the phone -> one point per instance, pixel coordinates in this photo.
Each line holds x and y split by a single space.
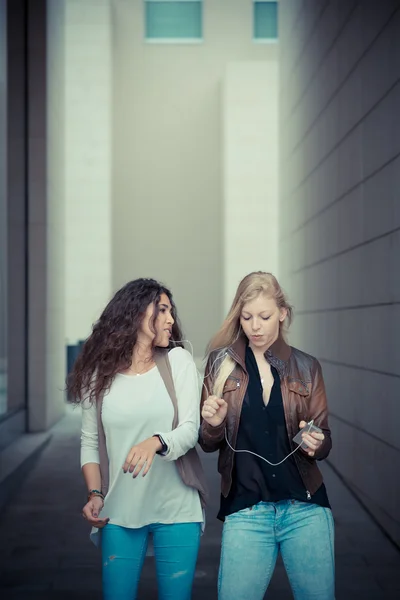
318 410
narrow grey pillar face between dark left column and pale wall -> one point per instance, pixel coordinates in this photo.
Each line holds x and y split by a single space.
56 210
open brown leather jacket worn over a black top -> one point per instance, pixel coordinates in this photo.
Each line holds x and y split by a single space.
304 398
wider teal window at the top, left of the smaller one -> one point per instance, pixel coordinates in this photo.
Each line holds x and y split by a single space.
173 20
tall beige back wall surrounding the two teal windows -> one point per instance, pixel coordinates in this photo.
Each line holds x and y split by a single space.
168 156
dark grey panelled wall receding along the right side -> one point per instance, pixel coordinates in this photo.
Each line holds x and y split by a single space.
340 226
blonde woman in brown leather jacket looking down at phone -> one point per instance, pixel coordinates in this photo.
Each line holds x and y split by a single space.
258 393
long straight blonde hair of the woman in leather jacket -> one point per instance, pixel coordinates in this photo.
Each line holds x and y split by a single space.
251 286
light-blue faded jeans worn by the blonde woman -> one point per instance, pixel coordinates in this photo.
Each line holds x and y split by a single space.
251 539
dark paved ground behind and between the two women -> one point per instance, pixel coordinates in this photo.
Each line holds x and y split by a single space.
45 552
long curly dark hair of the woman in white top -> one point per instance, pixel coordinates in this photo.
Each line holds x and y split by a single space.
108 349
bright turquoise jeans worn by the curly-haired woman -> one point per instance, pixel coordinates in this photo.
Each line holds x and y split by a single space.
123 552
